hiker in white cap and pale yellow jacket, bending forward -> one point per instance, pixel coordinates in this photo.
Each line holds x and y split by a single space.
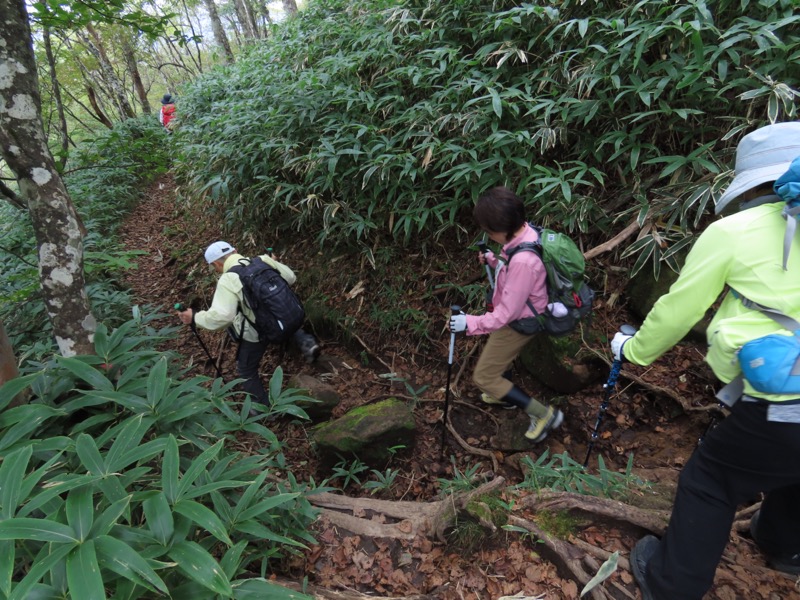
226 311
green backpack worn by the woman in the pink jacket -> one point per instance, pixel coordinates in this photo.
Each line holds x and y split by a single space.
565 267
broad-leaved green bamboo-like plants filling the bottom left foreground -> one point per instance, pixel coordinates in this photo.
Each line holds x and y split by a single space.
119 478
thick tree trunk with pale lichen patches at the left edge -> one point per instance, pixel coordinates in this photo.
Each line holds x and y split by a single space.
56 223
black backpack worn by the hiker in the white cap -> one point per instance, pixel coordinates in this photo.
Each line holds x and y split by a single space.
278 311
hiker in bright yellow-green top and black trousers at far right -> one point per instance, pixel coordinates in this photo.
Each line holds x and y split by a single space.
756 448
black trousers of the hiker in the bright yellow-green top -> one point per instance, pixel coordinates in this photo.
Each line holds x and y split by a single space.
741 457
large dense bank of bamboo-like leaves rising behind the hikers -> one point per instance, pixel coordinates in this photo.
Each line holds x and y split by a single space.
358 118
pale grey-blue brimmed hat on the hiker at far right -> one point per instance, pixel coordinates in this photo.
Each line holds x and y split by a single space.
761 156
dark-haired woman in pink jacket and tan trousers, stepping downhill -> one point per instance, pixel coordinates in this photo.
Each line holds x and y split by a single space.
519 284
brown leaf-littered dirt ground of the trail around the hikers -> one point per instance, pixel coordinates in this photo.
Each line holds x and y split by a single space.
644 417
